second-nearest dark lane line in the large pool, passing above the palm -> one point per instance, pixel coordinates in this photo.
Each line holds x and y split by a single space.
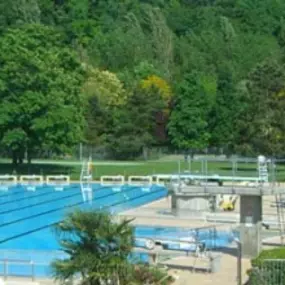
60 208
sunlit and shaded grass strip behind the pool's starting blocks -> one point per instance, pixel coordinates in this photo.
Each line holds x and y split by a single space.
197 166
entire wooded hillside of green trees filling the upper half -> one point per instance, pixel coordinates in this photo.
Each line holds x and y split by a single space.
221 61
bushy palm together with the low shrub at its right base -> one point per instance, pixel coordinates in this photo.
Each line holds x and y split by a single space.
98 249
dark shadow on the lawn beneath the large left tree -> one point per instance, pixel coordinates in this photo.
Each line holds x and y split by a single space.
37 169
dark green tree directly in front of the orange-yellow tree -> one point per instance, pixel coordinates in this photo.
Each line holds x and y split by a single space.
133 126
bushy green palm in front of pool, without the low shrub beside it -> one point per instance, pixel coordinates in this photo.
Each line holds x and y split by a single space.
96 247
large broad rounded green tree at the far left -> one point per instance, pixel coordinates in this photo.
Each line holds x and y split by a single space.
40 81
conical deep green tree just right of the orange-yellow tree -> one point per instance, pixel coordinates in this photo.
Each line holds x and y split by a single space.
188 127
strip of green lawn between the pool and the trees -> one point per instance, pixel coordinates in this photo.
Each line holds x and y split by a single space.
100 168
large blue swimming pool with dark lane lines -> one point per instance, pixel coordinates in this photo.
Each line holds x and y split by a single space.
27 217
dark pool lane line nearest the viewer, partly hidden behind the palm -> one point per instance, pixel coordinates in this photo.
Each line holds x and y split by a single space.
160 189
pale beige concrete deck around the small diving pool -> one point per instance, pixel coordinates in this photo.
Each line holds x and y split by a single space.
152 214
